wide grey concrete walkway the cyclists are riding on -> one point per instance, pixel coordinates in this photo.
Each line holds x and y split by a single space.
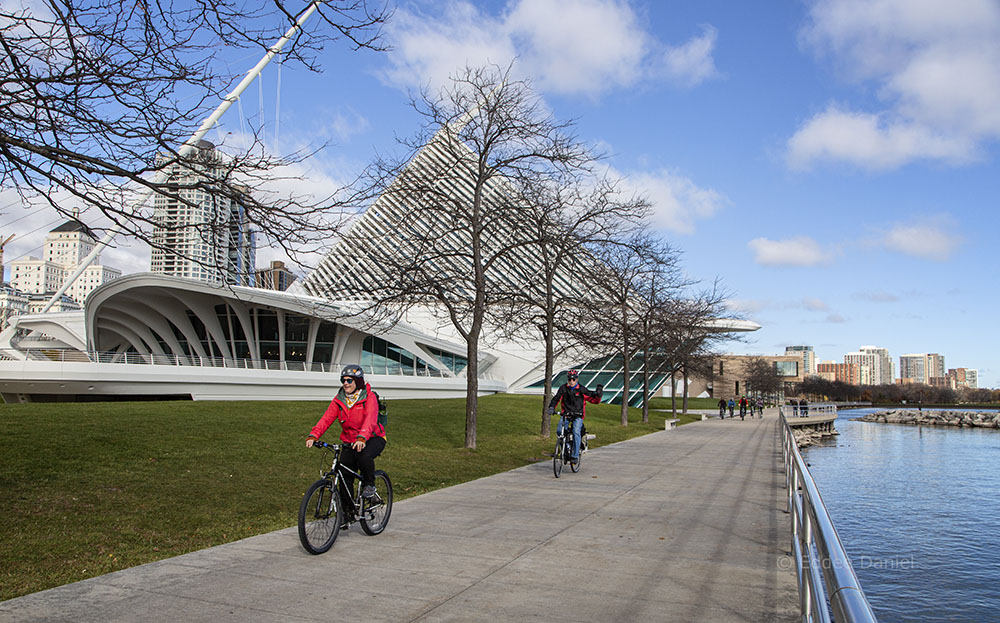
682 525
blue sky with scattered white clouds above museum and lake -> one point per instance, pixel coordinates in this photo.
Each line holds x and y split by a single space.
834 163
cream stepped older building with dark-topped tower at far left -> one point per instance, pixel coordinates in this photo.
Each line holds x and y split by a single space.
65 247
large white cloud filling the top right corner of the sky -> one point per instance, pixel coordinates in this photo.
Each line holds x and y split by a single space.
936 67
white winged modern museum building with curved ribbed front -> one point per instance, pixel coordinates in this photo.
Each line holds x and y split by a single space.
148 335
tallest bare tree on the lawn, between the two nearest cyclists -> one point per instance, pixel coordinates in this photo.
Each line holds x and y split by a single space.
455 223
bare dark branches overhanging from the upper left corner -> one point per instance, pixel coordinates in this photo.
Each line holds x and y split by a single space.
99 95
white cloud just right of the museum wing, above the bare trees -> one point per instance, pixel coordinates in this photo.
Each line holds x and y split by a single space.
677 201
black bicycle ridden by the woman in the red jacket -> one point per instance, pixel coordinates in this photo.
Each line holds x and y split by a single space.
321 513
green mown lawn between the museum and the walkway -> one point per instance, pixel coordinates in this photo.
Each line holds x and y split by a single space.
90 488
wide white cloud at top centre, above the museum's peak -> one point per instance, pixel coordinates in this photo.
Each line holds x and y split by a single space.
579 47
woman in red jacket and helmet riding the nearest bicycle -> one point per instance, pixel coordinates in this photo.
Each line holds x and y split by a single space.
356 408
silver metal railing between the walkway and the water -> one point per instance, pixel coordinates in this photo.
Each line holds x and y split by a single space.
824 571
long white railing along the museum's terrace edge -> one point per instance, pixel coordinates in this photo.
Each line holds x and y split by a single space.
76 356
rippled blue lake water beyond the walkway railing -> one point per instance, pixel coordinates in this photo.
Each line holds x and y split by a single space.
918 511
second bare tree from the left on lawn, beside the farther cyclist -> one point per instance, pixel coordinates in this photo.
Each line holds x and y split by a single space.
566 216
